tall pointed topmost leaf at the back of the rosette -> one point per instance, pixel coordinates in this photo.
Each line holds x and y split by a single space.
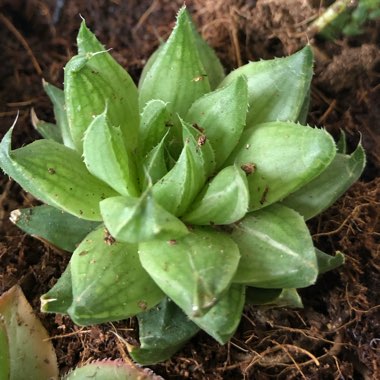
177 73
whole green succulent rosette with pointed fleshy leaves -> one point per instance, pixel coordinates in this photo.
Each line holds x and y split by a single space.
184 198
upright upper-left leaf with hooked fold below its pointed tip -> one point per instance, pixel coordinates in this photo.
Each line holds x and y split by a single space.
94 81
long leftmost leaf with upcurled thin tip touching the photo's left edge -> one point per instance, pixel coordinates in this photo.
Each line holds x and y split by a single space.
56 175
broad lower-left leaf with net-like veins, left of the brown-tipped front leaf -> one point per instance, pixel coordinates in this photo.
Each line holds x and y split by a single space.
109 282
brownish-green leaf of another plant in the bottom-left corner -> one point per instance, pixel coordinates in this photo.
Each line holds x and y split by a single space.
30 350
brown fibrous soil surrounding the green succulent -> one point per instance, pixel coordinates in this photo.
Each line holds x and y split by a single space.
336 335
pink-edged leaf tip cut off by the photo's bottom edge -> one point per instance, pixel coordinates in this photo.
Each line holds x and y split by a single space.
111 369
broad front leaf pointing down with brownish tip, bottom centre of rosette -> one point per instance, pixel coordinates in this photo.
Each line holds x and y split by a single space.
193 271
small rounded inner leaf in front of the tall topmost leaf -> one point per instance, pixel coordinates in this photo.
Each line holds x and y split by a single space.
155 123
